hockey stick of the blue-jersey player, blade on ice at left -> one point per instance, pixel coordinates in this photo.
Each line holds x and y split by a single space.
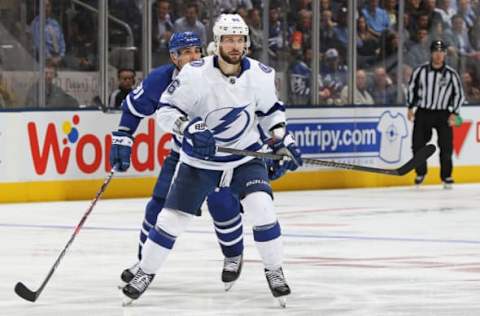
29 295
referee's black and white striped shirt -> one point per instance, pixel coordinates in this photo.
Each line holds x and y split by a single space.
435 89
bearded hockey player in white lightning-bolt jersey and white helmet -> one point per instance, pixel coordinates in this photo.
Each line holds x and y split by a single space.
219 101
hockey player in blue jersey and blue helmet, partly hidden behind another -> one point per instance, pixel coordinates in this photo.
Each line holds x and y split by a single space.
142 102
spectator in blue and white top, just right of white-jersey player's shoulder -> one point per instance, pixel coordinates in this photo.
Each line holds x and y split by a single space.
300 77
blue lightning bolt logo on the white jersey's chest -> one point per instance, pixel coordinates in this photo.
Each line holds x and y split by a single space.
230 123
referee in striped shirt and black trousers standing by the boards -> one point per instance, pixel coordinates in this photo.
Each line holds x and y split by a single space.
435 90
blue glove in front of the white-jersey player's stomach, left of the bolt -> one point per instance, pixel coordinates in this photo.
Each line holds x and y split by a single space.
198 140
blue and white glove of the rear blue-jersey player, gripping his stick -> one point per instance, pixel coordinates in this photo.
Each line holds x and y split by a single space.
121 150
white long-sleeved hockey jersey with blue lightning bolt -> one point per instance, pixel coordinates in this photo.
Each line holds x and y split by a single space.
232 107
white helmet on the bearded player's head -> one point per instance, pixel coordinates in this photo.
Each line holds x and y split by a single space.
230 24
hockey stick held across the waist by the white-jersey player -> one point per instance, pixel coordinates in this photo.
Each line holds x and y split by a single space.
420 157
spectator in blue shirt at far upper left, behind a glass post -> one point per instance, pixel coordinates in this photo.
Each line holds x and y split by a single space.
54 40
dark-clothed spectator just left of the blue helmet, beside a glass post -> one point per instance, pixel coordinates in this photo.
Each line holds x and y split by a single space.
162 29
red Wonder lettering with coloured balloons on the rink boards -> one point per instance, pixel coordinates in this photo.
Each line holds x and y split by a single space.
88 152
